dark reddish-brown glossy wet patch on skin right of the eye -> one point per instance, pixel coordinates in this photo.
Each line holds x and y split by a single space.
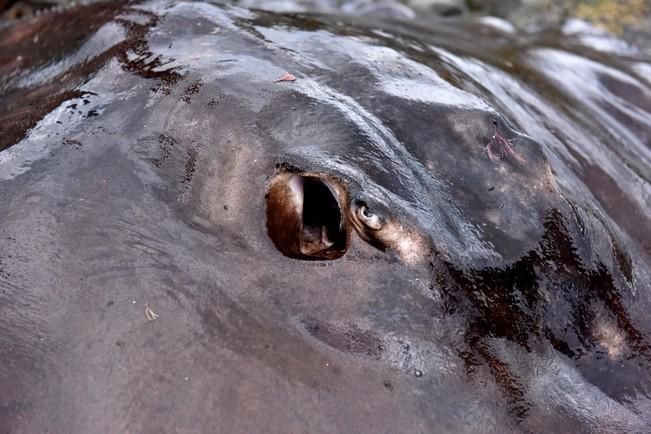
551 295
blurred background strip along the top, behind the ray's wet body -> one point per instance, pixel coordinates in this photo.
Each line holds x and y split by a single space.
630 19
